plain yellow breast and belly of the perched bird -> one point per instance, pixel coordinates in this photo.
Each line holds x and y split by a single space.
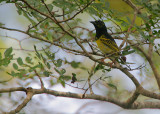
104 48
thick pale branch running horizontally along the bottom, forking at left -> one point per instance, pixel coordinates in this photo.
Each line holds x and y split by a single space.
124 104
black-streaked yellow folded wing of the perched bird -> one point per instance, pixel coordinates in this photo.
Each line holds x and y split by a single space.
108 42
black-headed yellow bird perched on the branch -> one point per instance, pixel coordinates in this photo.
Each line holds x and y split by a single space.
105 41
